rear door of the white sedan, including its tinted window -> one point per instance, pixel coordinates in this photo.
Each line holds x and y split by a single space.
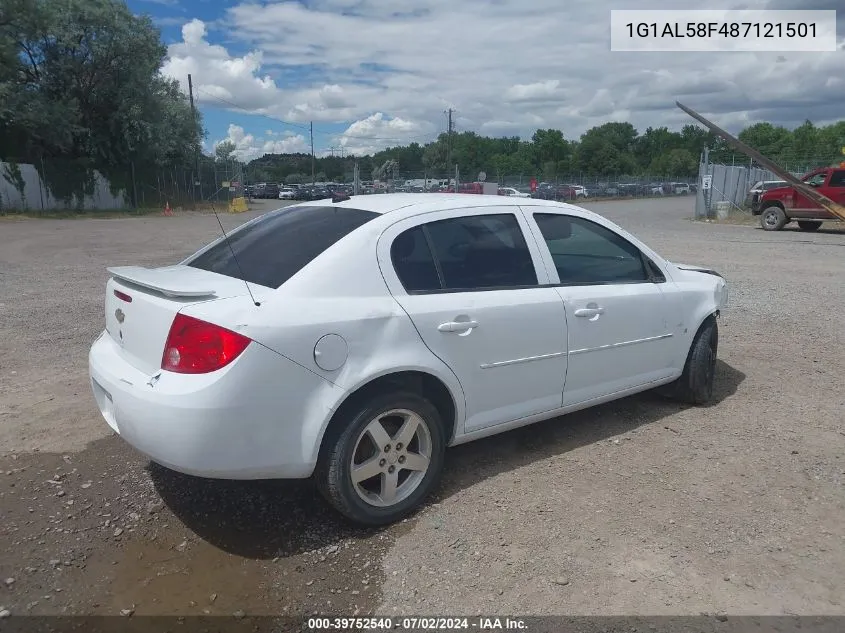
473 286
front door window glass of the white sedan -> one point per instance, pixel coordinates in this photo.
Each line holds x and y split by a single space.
587 253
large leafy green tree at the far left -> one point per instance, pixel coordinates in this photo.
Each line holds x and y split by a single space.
80 81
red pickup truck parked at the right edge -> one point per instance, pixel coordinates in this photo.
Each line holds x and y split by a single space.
778 207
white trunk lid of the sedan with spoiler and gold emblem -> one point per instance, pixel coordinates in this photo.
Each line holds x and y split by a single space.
141 304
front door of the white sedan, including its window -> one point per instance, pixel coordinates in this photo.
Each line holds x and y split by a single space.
620 325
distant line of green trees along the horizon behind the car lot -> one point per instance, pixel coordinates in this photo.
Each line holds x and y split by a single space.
608 150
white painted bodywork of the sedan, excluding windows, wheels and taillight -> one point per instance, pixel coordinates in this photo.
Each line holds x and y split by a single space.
265 414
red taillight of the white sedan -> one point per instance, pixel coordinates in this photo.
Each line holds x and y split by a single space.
198 347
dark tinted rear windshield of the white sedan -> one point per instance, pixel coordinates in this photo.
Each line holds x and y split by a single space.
276 247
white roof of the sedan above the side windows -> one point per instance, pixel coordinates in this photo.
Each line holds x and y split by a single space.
410 204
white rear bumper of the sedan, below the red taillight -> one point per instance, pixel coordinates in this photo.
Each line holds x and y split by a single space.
249 420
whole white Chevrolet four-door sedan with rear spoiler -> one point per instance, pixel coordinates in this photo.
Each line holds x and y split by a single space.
353 340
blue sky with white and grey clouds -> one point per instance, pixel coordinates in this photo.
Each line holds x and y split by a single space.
376 73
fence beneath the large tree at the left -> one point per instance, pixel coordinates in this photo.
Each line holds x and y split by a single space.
52 184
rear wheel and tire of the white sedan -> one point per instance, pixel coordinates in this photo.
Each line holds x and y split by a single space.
352 443
